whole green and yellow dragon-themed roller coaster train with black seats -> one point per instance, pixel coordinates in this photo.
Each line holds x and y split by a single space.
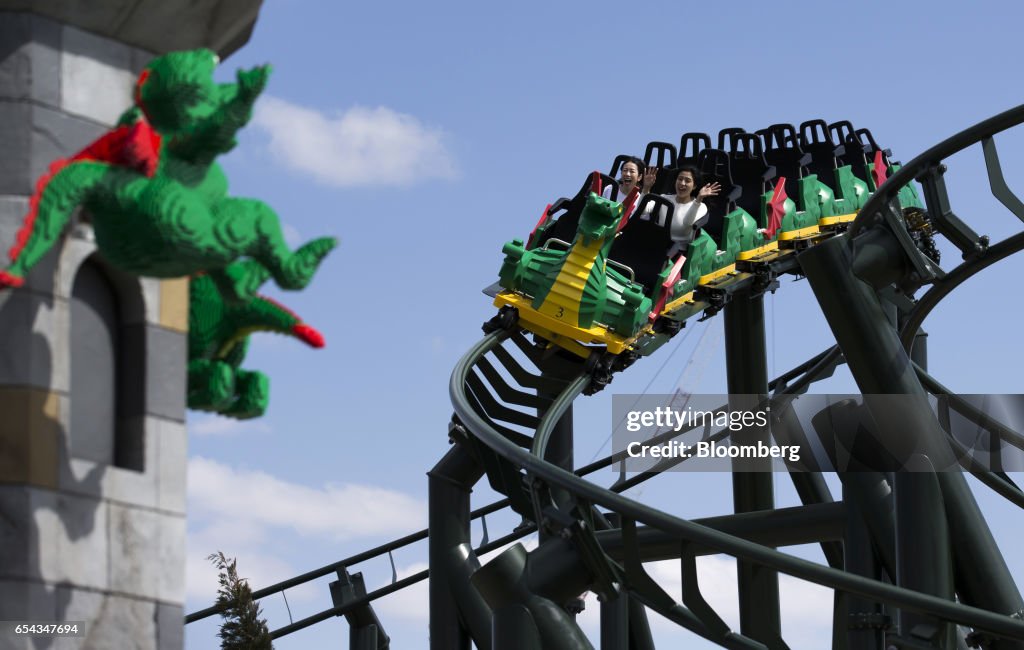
592 276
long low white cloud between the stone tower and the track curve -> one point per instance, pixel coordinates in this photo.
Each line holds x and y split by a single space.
333 512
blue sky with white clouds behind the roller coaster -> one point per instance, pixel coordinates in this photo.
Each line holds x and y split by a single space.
426 136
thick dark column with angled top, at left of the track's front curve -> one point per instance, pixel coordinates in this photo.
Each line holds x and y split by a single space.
456 609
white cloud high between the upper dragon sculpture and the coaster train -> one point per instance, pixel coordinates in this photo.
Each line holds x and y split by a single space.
359 148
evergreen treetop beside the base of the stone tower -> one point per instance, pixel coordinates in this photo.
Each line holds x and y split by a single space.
243 629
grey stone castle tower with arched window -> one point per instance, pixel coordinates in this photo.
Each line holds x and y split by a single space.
93 362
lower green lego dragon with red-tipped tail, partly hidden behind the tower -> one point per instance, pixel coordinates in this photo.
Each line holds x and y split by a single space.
219 338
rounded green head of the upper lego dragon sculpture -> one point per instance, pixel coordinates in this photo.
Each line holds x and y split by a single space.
177 91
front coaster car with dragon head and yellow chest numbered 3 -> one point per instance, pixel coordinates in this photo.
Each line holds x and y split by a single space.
599 276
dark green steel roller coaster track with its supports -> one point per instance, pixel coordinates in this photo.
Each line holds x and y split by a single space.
928 578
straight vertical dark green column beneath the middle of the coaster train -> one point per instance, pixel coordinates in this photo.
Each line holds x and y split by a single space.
753 490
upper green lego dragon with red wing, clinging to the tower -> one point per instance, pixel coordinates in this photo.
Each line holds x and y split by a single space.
158 201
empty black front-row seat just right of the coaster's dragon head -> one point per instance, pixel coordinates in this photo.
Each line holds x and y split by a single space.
646 242
